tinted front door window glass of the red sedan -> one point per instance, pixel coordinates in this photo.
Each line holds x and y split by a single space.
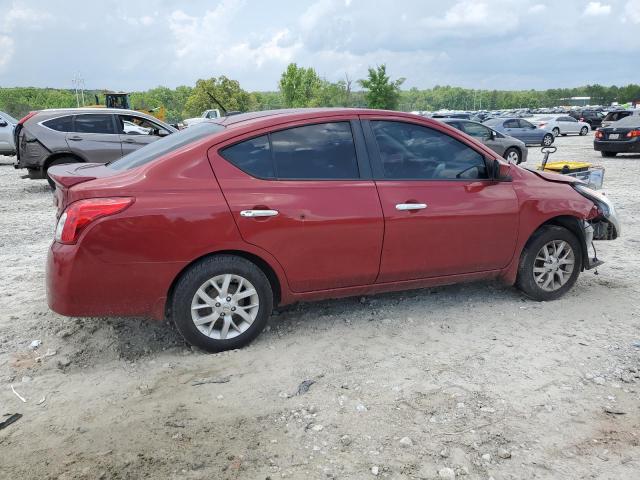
409 151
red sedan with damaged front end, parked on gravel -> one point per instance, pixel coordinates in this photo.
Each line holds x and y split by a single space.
216 224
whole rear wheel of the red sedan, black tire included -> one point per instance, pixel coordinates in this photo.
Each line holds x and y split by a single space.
223 308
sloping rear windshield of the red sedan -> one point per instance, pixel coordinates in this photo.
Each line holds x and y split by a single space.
165 145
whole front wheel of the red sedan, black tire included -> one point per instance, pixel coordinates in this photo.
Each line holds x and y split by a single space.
534 272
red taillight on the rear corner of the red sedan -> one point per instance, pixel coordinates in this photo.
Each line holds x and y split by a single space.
81 213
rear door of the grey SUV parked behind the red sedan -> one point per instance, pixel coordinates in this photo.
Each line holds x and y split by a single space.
93 137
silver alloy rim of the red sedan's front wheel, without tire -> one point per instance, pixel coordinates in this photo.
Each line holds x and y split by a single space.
553 265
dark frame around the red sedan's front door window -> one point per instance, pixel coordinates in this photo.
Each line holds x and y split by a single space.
378 169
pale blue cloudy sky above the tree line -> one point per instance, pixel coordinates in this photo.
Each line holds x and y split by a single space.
489 44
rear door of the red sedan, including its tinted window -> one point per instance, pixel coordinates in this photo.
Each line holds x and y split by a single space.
304 193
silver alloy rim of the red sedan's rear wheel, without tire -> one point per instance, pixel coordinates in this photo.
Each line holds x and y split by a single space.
225 306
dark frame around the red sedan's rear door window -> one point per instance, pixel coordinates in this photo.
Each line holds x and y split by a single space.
360 150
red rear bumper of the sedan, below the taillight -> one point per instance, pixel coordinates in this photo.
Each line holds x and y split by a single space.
79 285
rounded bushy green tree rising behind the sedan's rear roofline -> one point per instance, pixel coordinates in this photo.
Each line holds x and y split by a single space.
226 91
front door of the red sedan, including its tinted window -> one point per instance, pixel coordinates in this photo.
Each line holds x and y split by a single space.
443 215
